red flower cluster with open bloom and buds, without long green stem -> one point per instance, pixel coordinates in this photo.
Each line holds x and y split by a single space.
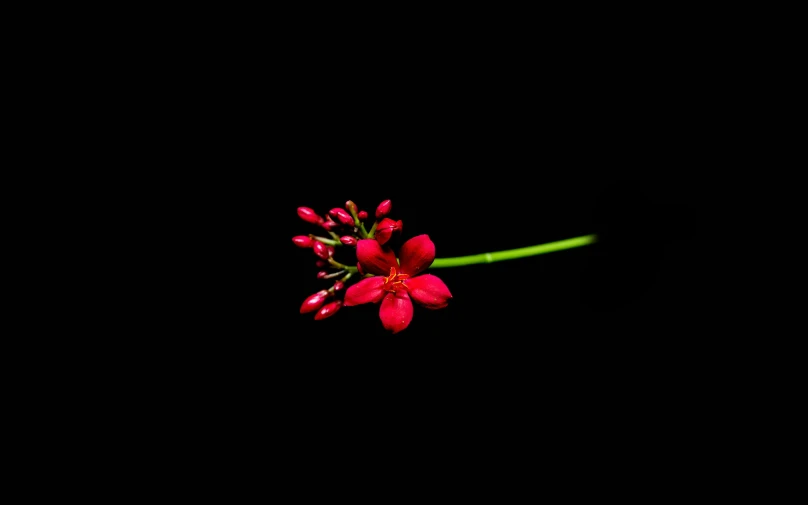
393 282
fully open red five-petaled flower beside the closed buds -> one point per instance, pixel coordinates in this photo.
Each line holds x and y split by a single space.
394 285
